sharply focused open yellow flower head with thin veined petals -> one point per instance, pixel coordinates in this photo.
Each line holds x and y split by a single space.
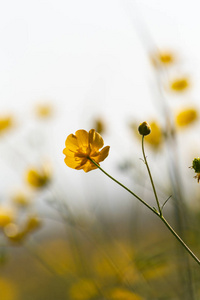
82 146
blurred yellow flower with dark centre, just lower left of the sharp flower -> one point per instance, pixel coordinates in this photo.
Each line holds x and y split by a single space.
38 178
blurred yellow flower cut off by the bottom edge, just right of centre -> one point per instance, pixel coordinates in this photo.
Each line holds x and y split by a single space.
123 294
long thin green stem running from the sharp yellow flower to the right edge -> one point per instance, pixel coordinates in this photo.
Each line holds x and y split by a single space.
153 210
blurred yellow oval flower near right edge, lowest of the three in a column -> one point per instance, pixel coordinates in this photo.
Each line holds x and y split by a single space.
186 117
